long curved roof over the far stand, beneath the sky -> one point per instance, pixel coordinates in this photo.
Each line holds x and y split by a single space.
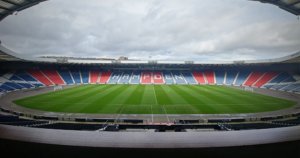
9 55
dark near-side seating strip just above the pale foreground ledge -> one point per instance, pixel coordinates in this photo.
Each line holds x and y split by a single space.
218 124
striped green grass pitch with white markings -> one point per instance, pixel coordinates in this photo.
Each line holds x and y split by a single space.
154 99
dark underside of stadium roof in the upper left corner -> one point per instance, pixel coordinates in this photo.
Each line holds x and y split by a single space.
8 7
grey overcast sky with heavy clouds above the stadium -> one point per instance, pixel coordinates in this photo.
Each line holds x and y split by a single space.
153 29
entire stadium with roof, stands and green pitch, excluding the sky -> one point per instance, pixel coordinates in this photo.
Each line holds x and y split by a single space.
84 105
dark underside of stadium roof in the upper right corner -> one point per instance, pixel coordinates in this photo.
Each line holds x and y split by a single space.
292 6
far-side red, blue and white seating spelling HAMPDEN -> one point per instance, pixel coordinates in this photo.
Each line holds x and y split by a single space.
262 79
